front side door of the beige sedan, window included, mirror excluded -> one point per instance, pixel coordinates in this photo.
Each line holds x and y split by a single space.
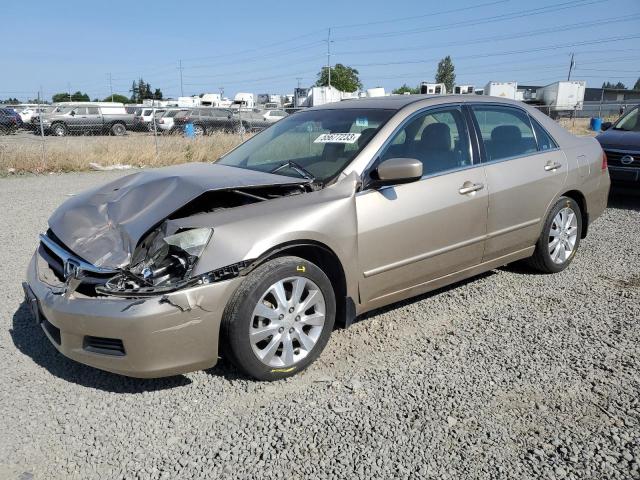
414 233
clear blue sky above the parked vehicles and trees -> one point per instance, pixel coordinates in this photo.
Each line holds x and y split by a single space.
258 46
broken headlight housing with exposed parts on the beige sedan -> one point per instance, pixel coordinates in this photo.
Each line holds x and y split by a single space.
161 263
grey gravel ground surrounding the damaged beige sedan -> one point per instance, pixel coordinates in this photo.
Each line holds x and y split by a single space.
508 375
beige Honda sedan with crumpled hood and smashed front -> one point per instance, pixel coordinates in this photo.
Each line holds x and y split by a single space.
329 213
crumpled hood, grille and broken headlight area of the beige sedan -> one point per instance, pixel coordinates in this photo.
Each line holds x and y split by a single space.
129 237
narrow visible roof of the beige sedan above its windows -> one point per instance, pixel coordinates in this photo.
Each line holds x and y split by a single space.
397 102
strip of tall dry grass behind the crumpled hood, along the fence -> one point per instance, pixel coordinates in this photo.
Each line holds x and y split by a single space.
71 154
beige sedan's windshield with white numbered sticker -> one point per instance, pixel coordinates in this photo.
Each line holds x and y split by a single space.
320 143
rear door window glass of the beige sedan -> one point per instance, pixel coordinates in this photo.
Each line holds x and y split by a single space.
506 132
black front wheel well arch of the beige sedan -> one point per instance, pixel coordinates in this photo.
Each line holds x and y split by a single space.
330 264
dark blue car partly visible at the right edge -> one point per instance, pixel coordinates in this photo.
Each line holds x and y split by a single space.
621 142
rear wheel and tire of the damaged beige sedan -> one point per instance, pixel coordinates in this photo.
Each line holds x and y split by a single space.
565 218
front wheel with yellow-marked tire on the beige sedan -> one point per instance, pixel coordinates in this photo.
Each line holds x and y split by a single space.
292 338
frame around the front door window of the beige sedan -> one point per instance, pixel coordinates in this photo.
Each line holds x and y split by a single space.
475 159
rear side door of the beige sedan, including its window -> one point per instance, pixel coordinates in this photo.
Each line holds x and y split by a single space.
523 176
